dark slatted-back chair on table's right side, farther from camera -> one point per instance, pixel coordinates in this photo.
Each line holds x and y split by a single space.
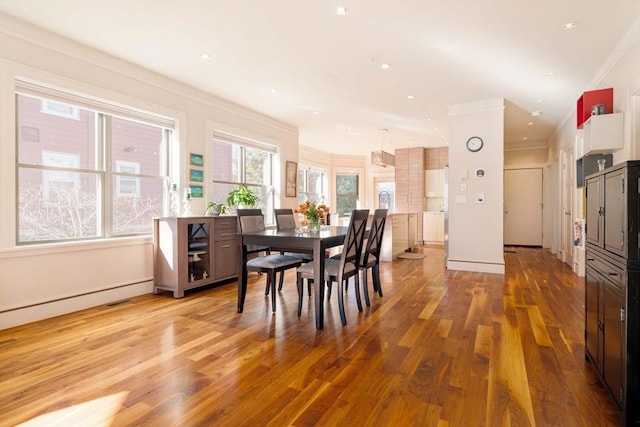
370 258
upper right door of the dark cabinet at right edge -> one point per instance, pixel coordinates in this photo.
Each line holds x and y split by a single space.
614 213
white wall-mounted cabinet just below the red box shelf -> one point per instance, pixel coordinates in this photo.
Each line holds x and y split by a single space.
603 134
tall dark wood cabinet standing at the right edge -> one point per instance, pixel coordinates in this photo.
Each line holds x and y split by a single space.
612 288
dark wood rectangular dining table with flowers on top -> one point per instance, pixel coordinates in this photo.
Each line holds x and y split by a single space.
292 240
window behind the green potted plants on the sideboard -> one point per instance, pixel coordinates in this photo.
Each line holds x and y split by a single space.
236 162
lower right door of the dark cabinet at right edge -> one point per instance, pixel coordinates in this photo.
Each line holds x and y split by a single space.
613 338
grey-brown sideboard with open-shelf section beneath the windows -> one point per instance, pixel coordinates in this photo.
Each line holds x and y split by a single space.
189 252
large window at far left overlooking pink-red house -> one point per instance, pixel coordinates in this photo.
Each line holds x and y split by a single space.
84 172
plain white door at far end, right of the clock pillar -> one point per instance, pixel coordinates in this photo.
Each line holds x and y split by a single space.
523 207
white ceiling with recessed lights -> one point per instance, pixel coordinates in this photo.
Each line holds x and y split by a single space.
301 63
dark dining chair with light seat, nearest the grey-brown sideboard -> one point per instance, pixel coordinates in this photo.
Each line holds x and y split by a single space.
251 221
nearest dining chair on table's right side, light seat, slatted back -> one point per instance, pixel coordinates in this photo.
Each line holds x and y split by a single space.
340 270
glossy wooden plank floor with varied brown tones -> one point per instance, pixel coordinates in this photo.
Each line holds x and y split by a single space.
441 348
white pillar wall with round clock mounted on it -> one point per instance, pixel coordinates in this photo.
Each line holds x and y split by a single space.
476 229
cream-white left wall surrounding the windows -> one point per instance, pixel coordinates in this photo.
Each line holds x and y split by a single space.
44 280
